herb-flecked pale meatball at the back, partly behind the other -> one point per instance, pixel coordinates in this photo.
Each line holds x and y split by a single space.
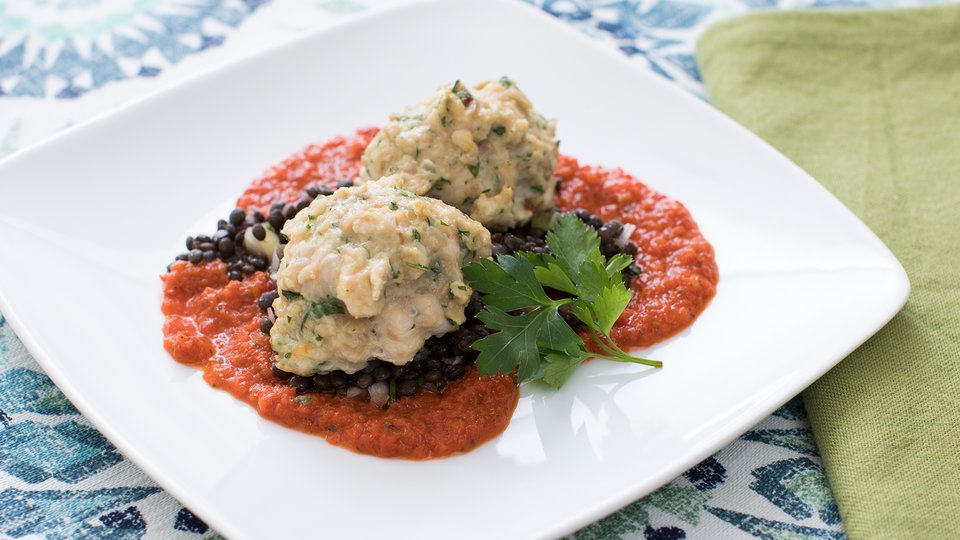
484 150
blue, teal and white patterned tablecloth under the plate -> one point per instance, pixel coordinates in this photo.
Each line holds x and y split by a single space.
63 61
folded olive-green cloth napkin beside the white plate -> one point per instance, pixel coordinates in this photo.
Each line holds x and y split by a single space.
868 102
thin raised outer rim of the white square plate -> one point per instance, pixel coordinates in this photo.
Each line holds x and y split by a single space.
591 514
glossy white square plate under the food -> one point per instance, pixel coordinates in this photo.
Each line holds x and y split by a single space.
90 219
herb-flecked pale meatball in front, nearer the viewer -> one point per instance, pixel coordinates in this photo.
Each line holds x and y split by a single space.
371 271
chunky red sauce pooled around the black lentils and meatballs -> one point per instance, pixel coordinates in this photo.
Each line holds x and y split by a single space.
214 324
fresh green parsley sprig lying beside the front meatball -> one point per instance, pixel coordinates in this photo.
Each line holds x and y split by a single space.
531 337
